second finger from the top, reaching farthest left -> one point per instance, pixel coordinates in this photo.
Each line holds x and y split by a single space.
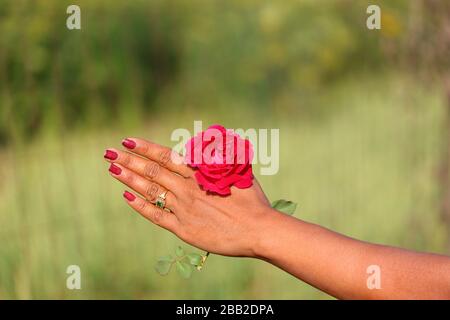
147 169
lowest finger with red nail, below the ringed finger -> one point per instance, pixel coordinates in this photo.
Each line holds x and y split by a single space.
151 212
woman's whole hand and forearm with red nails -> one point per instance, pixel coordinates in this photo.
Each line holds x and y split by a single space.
243 224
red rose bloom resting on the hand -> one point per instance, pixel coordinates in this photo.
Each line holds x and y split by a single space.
222 159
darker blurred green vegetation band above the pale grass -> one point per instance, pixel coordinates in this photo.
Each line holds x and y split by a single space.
267 52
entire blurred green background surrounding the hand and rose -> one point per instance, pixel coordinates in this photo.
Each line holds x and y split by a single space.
363 118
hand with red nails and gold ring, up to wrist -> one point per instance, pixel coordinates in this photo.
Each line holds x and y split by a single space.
224 225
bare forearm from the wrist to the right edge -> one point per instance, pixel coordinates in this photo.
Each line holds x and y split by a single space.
338 265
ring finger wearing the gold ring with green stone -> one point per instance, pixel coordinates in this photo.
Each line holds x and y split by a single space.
149 190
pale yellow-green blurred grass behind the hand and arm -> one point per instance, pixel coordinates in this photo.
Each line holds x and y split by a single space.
367 170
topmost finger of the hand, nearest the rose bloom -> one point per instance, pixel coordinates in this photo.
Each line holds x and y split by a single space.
160 154
